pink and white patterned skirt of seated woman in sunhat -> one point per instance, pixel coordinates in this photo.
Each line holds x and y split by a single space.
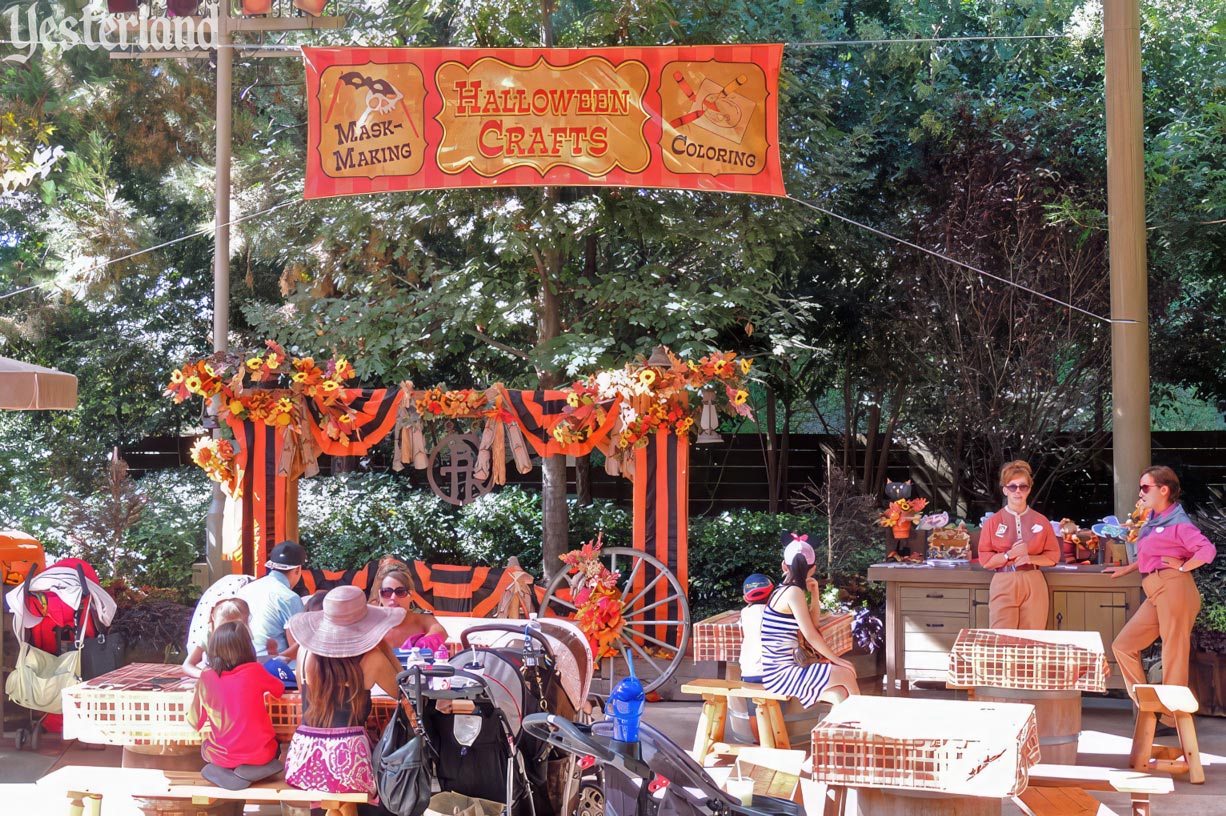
337 760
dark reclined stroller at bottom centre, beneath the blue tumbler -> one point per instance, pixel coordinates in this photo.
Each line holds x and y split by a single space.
654 777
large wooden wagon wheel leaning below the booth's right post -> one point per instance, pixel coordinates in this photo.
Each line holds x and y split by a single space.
658 646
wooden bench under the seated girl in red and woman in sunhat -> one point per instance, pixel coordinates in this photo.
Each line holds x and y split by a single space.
151 787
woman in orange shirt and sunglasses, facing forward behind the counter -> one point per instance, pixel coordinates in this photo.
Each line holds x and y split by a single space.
1016 542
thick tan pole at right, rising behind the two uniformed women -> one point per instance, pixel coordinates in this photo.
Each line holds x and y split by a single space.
1126 226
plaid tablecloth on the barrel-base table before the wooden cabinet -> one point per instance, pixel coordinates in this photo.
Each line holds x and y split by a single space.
1033 661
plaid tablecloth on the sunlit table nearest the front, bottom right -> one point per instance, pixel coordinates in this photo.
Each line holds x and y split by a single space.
972 749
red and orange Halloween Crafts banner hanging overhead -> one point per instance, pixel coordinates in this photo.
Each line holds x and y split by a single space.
390 119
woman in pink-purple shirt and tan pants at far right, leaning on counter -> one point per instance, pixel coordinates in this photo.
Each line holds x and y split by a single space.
1169 550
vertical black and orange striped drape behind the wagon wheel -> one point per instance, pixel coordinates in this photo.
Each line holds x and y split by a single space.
661 504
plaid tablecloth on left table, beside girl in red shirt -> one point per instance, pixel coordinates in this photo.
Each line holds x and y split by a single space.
147 704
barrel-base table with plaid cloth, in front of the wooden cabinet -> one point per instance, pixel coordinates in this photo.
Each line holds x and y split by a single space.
1048 670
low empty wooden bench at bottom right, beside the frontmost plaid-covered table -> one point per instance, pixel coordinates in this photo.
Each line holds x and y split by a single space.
1061 791
